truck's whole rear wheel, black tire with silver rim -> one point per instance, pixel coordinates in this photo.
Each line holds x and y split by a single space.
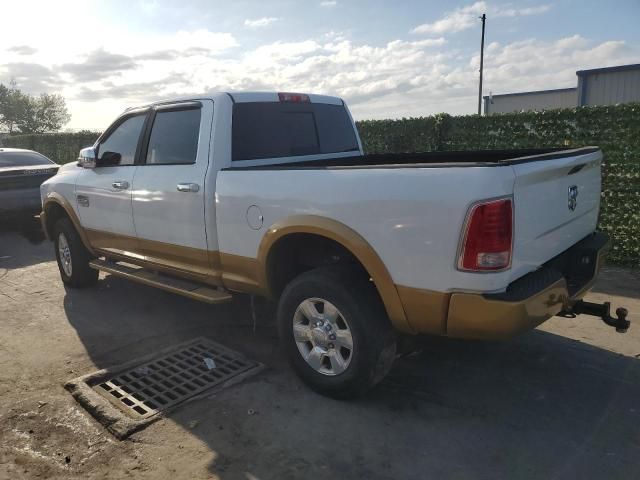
343 343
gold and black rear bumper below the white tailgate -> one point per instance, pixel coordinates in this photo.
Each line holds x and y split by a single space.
532 299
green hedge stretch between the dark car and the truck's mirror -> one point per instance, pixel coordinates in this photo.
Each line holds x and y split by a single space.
59 147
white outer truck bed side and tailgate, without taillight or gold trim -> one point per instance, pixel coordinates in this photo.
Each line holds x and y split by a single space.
411 207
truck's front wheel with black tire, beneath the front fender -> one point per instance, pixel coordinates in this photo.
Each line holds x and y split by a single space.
72 256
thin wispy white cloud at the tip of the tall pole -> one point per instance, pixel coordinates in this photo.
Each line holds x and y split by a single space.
467 17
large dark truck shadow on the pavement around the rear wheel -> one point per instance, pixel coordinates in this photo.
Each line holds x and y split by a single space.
539 406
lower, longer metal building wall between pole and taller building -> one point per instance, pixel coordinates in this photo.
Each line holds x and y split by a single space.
541 100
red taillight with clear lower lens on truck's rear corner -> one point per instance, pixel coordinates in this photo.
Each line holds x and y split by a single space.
488 236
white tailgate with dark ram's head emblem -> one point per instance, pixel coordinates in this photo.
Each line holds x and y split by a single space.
556 205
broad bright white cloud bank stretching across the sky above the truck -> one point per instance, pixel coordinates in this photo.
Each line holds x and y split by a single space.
117 67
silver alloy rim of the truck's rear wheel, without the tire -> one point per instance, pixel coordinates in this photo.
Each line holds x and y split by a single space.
322 336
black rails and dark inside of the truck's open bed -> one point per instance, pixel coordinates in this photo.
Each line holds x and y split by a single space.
434 159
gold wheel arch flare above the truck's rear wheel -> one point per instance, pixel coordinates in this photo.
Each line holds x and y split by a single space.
348 239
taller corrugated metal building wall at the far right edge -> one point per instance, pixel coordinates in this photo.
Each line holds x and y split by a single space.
609 86
